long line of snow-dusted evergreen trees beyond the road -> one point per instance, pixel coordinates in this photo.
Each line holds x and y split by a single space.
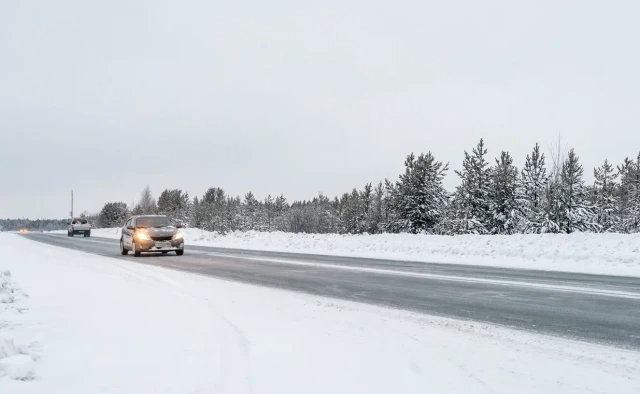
543 196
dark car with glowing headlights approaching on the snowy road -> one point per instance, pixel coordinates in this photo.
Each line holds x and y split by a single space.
151 234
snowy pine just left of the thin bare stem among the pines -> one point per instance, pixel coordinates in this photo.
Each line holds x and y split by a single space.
532 192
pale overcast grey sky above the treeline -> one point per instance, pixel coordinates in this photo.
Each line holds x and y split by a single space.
298 97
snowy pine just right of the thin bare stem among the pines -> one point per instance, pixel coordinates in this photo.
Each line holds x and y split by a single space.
576 214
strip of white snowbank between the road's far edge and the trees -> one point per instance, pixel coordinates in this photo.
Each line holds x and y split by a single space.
610 254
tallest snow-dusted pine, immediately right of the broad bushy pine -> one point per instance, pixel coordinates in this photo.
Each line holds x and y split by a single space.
472 203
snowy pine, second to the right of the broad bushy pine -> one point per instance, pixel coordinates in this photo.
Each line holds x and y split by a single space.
504 207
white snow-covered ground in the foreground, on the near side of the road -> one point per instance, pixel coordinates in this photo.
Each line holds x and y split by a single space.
94 324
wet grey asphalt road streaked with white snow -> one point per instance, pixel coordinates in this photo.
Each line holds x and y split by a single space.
592 308
